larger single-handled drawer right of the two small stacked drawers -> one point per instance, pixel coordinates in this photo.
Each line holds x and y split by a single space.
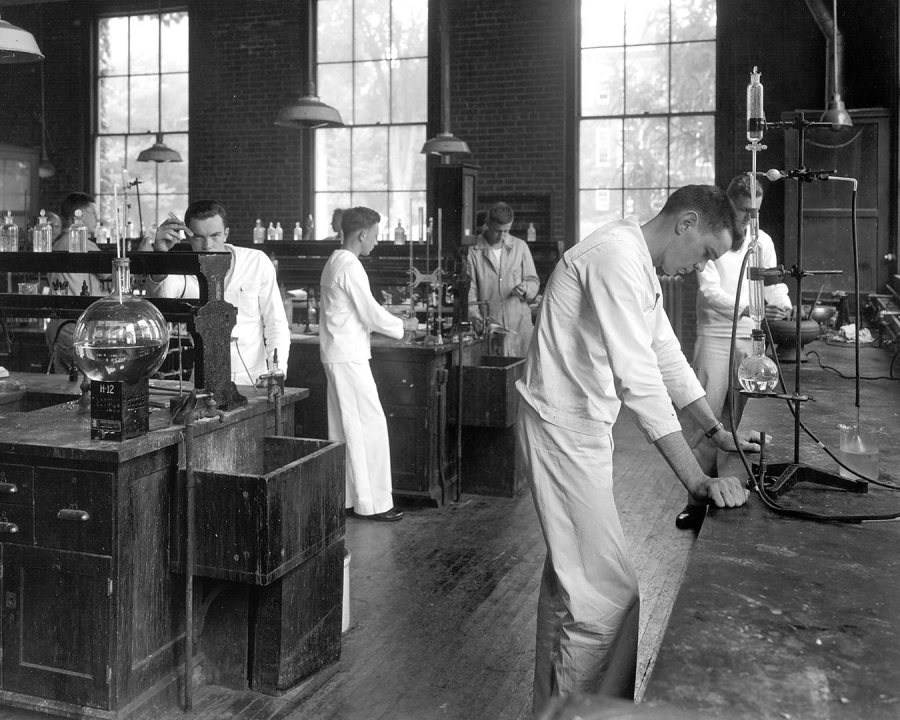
73 510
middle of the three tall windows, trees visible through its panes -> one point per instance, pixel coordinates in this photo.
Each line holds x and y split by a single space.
372 65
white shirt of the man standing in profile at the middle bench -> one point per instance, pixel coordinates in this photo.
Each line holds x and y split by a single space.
348 311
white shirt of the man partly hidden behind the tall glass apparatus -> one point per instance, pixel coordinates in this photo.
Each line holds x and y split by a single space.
717 286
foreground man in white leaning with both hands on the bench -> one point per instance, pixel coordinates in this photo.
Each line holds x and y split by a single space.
603 339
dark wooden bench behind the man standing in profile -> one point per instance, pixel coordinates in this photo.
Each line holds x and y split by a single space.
414 385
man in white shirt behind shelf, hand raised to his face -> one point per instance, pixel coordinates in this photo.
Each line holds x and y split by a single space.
251 285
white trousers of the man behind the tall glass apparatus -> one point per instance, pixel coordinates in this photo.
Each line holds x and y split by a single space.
711 365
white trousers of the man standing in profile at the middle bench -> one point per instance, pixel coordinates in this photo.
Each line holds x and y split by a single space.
355 416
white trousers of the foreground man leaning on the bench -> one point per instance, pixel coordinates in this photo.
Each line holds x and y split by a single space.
588 604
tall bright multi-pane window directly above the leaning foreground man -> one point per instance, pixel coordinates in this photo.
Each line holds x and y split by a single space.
647 105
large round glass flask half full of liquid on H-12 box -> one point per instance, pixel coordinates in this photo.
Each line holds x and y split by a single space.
120 337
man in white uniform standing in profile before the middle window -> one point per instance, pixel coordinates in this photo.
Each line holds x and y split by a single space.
349 313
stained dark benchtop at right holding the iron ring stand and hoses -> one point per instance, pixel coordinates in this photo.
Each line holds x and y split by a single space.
780 617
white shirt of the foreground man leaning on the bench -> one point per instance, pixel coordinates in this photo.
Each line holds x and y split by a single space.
603 339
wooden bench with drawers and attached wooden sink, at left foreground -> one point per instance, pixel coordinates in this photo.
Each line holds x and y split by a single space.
91 536
